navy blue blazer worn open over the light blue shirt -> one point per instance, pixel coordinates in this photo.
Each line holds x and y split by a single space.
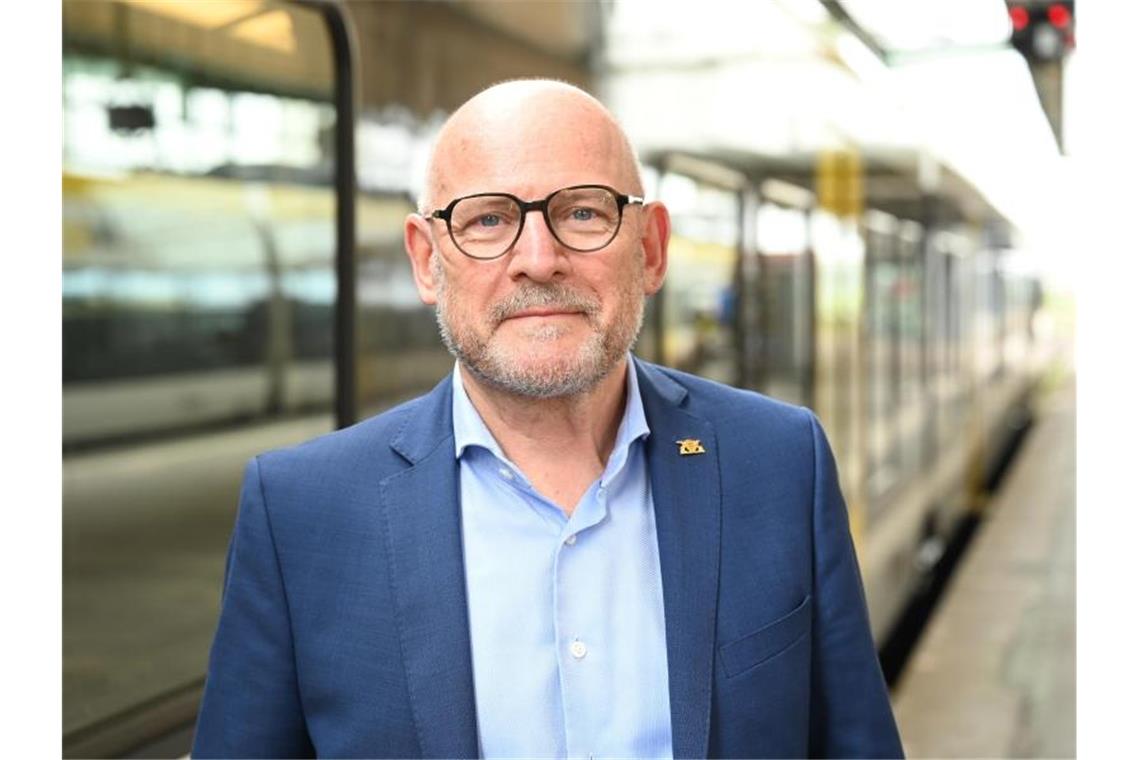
344 628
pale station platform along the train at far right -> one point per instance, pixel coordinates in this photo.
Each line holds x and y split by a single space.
995 674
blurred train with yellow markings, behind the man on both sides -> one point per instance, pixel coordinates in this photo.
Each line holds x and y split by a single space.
230 287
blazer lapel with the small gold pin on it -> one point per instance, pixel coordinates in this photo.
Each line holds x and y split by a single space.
687 503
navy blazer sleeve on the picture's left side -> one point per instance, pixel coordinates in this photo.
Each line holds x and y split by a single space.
251 707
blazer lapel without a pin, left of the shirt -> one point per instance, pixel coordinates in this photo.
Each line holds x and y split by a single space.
426 553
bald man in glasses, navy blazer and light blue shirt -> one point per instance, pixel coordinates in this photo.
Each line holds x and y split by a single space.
561 551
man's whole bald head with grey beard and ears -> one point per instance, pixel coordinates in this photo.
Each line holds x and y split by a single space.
544 320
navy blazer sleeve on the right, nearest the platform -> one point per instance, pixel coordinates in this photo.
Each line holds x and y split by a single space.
851 709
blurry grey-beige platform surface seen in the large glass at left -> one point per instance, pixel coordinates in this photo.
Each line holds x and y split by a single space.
145 533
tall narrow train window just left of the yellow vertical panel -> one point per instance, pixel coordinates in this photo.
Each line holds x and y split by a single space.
787 298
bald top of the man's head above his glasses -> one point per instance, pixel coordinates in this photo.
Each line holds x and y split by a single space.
530 137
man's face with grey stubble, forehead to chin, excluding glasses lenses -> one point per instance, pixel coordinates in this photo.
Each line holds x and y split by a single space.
542 321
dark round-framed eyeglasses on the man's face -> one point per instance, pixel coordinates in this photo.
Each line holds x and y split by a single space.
583 218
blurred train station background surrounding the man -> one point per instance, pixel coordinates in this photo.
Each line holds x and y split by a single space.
869 220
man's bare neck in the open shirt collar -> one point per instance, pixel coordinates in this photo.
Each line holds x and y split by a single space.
563 445
